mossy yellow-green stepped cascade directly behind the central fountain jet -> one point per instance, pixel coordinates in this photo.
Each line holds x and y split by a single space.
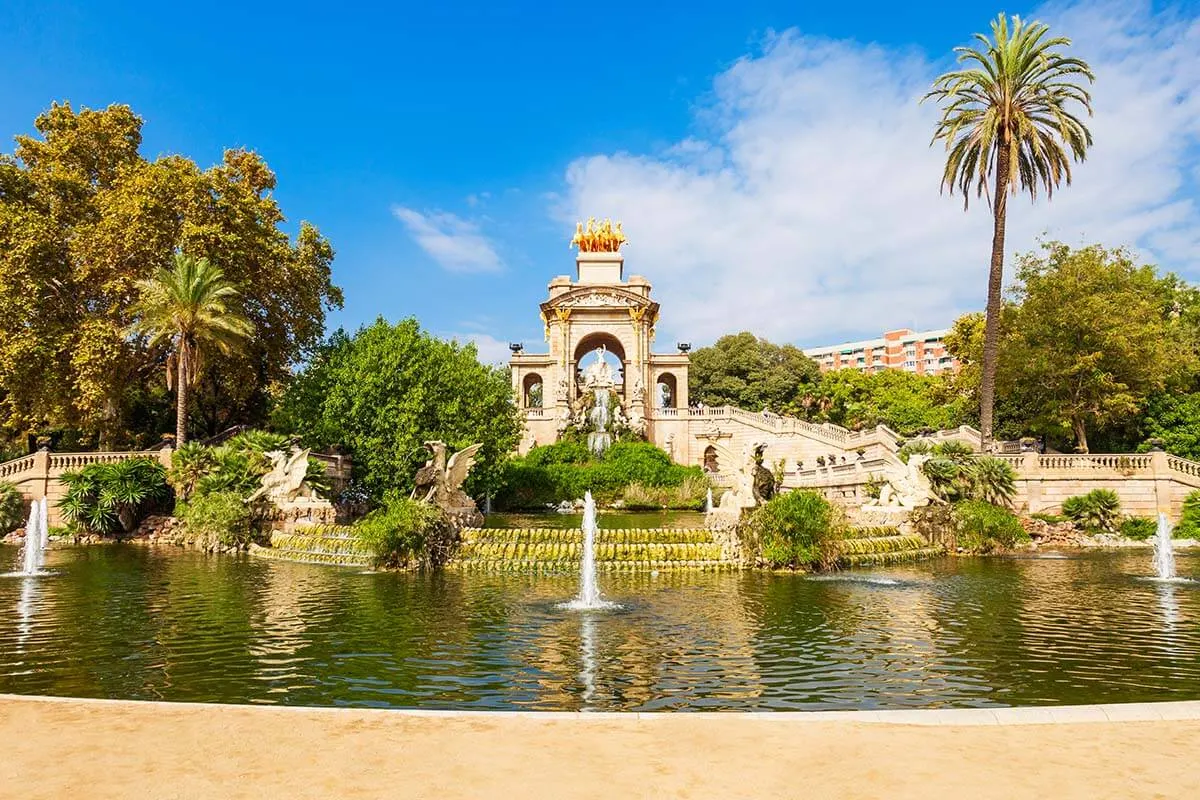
551 550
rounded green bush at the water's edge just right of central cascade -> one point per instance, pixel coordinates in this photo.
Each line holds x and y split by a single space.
799 530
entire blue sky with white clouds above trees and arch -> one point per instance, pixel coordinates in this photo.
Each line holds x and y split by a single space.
769 160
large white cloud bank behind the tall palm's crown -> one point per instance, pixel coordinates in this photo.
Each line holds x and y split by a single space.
807 208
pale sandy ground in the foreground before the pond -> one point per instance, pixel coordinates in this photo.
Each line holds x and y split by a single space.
152 750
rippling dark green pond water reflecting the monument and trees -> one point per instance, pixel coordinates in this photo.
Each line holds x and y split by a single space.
140 623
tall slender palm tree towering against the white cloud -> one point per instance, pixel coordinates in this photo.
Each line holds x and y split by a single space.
1009 117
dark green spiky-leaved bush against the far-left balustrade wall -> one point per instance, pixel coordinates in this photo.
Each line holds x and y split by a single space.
113 498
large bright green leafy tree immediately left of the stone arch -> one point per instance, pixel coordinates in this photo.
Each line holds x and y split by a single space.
387 390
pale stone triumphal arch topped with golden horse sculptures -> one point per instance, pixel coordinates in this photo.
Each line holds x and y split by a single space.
586 318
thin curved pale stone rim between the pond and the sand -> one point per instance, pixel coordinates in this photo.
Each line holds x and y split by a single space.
1165 712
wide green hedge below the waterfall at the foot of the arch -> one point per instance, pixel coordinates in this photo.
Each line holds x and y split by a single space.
553 474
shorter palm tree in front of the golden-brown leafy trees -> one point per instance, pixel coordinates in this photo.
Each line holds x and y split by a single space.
185 305
